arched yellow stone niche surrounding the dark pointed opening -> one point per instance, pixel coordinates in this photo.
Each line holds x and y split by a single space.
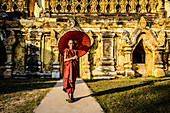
143 53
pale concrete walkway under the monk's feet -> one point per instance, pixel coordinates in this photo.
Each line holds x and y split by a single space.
55 101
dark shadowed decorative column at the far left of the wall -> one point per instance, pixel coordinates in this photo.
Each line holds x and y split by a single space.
8 42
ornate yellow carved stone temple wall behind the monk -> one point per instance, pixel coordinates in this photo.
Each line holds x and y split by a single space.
128 38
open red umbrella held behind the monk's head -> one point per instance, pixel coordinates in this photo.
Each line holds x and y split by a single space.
81 39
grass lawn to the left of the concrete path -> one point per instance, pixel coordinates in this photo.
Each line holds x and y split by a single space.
23 95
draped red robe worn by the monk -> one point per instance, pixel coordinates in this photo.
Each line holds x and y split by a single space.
70 72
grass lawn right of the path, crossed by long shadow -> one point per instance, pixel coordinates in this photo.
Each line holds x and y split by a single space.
138 95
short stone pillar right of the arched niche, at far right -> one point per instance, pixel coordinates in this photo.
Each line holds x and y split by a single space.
159 71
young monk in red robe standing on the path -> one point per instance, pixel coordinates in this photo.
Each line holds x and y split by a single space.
70 71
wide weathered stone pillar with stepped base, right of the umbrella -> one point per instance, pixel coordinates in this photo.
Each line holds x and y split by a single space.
106 64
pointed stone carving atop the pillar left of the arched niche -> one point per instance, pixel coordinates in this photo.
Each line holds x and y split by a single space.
125 40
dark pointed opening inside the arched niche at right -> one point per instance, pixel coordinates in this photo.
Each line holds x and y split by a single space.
139 53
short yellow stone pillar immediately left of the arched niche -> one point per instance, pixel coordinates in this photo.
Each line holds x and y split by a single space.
128 61
